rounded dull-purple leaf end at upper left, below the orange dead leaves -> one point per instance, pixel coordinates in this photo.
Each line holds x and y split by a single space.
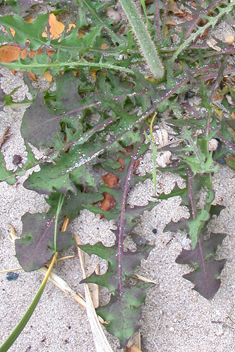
41 121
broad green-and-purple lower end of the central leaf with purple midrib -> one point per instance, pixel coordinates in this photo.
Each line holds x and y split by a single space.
124 309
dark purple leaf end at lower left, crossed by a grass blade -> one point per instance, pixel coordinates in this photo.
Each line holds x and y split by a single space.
36 245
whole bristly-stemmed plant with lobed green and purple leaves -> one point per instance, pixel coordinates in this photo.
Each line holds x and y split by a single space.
107 76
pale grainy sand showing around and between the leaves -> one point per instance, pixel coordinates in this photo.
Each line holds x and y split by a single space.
175 318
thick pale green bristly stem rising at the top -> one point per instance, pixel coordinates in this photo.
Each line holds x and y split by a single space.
147 47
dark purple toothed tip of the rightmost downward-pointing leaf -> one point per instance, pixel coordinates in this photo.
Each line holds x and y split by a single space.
206 268
